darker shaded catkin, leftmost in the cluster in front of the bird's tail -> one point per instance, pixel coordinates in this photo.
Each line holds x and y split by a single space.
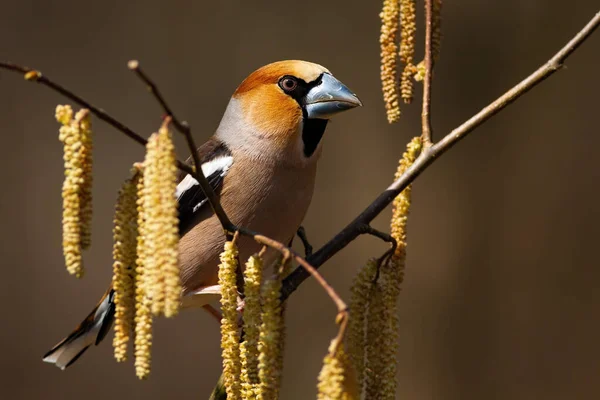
124 258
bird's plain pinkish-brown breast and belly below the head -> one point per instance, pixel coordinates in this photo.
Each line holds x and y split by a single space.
266 199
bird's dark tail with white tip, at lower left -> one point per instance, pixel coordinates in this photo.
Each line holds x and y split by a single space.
90 331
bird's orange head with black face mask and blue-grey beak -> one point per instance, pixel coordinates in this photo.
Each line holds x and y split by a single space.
281 111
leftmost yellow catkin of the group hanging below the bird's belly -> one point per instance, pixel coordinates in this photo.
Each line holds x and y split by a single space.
230 336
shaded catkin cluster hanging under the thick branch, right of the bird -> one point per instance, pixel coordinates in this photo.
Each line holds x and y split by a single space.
373 326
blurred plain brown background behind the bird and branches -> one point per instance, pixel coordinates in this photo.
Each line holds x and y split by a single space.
502 291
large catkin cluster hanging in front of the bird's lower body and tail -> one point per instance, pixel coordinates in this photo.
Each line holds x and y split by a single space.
146 273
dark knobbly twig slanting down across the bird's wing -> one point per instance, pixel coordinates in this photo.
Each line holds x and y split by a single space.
185 129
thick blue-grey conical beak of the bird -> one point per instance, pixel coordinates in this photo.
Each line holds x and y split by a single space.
329 98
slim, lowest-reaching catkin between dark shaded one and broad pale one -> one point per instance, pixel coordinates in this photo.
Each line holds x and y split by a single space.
143 315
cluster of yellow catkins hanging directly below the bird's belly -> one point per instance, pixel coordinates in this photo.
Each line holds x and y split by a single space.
252 368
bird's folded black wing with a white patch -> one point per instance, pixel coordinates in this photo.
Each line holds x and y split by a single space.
216 159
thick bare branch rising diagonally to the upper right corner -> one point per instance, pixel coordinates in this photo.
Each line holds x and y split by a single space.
429 155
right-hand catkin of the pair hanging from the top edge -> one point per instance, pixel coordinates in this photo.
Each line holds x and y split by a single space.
408 29
